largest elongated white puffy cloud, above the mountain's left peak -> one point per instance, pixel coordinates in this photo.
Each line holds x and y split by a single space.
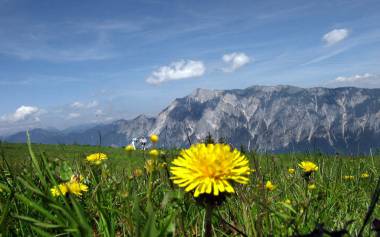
177 71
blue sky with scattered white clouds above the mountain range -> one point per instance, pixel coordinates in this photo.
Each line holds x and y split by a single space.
64 63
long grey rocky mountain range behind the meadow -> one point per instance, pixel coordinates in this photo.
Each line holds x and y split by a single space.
265 118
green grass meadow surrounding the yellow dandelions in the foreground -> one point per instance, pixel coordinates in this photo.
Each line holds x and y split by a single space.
120 204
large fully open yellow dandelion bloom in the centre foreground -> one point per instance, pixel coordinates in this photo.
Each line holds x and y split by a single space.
208 169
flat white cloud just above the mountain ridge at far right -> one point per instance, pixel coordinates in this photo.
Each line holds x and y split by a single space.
359 80
